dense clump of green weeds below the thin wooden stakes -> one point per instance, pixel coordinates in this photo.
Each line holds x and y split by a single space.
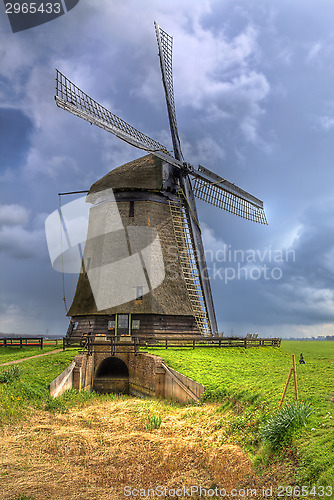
279 429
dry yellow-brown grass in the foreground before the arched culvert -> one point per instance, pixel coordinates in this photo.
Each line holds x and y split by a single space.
93 452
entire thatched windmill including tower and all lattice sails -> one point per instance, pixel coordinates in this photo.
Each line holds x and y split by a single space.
143 268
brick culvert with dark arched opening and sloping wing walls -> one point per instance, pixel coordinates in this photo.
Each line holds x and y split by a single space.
127 372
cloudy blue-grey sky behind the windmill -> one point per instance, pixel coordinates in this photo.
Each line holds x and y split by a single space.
254 93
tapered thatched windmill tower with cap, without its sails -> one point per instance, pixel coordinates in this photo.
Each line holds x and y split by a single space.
132 281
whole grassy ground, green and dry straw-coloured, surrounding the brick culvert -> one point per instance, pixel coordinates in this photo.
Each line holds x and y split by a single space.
243 388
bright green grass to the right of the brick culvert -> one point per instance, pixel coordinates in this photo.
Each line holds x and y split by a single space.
250 382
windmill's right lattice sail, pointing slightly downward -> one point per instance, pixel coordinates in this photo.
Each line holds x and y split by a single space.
222 198
